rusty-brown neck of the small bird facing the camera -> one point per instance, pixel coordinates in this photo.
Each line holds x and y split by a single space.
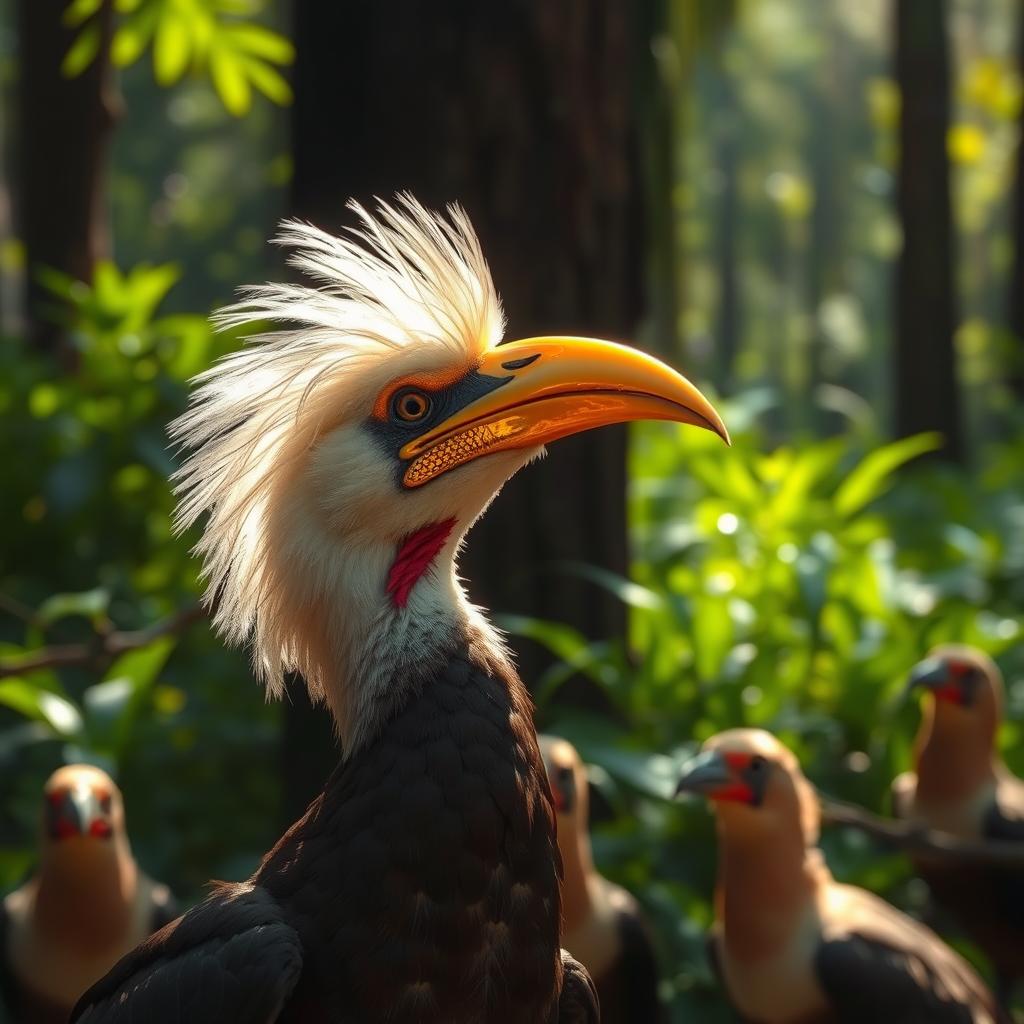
86 897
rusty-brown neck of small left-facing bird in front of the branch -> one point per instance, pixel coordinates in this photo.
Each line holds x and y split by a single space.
766 892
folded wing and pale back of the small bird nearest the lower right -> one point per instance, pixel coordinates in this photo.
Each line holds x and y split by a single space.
874 961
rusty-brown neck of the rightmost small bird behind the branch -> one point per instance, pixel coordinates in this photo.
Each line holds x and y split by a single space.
954 762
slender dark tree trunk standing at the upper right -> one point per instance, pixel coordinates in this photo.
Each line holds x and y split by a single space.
926 394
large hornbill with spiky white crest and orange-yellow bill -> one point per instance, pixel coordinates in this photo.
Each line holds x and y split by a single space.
339 459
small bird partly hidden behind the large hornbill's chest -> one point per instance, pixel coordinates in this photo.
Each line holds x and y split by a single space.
604 928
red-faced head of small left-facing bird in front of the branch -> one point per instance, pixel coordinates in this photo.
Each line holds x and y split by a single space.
756 785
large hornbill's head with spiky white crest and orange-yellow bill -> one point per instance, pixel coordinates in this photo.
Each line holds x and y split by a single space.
343 460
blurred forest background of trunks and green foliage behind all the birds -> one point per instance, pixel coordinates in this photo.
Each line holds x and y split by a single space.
752 188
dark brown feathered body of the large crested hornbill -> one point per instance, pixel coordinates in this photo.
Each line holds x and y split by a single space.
420 888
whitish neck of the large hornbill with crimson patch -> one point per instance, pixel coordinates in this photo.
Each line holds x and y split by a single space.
382 624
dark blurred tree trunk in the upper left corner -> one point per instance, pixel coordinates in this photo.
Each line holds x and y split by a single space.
63 139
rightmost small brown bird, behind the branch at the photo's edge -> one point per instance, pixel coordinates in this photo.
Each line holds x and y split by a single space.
961 786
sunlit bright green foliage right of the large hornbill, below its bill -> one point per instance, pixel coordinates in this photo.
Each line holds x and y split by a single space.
792 590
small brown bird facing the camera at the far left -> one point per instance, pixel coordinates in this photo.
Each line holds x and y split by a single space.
87 905
